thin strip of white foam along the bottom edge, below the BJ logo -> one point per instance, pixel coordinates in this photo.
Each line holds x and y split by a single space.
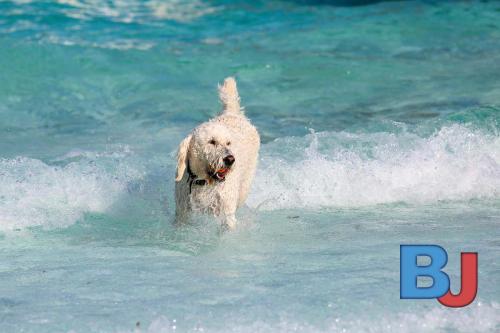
476 318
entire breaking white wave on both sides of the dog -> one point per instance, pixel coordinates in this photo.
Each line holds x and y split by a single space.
328 169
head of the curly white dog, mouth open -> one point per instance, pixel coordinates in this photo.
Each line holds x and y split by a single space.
208 153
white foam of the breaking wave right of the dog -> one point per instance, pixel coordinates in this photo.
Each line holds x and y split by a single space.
348 170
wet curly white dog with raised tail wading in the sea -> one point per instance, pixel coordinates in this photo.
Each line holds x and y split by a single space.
216 162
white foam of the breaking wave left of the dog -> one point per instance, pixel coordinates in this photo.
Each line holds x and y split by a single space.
33 193
